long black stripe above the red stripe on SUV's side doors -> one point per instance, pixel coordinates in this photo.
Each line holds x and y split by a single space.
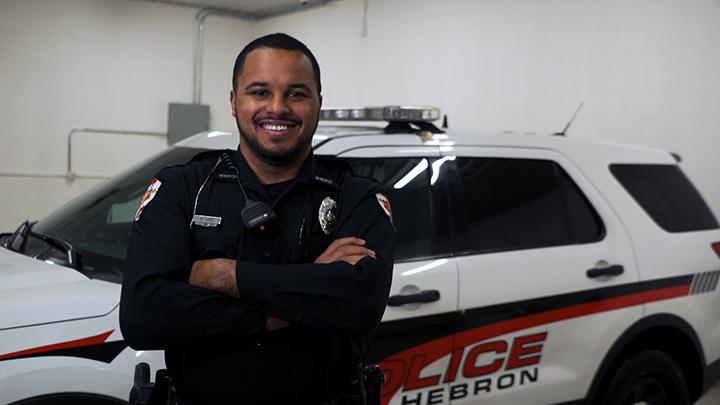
396 336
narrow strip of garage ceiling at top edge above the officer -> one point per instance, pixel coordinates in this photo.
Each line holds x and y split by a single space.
254 9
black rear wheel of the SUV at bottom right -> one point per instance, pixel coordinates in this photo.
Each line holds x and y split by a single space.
648 378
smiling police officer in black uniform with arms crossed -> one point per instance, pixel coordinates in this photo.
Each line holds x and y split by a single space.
260 271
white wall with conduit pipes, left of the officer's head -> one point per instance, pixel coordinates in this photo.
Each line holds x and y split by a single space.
107 64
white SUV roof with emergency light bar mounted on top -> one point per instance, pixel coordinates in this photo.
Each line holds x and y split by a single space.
413 126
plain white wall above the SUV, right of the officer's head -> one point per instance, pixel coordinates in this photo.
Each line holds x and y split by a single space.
648 71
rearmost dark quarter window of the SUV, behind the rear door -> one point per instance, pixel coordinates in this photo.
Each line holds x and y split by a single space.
667 195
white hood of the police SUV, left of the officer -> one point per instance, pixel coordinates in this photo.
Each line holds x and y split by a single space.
34 292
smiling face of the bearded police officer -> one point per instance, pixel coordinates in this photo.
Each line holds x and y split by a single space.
276 102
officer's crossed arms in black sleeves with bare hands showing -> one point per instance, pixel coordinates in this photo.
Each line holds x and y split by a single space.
170 300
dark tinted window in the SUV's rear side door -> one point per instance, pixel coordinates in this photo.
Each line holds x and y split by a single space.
523 203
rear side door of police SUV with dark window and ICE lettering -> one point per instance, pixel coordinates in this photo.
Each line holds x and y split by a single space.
545 276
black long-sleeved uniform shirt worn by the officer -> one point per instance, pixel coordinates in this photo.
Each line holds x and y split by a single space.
216 347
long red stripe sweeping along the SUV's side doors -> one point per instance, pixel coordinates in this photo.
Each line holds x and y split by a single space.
438 348
